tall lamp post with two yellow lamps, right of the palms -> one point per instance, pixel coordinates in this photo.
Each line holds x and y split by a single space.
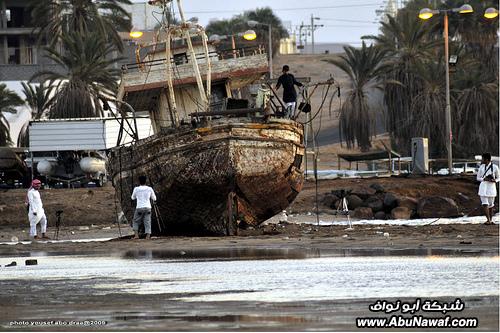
425 14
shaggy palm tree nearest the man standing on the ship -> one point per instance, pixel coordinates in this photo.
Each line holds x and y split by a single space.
364 67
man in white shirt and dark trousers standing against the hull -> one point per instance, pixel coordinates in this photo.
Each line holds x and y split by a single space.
143 194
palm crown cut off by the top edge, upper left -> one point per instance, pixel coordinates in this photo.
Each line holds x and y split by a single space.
106 17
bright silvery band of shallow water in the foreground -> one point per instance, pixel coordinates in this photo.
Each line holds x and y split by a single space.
267 277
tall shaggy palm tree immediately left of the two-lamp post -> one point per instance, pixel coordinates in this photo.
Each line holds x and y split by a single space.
406 40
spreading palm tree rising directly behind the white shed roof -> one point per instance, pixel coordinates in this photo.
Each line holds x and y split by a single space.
88 76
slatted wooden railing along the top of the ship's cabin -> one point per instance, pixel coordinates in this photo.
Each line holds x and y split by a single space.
185 58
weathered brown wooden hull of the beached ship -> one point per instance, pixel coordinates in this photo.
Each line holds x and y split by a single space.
209 180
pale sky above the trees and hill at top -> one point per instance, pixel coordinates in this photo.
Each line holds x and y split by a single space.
345 21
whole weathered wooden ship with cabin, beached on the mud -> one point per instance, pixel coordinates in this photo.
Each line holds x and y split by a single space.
215 162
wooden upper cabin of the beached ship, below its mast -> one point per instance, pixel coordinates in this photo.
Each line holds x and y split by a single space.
144 84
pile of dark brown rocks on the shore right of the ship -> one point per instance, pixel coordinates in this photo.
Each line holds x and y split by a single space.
374 202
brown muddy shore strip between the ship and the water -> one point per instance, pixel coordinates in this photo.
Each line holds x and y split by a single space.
460 237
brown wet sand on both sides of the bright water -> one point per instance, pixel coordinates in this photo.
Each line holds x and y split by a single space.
66 299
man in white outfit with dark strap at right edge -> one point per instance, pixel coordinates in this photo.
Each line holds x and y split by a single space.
488 175
